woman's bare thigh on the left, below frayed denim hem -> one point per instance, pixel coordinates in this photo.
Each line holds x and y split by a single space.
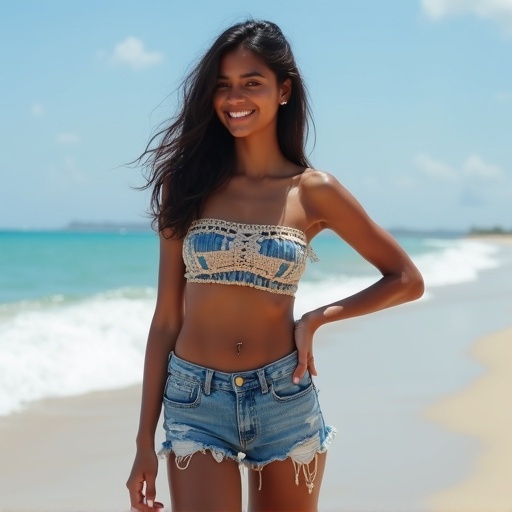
205 485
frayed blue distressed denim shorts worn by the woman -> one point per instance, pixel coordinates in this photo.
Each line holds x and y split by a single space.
254 417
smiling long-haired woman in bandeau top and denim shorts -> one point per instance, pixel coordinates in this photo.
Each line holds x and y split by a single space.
236 204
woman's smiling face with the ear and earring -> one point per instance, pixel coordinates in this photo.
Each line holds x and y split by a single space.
247 95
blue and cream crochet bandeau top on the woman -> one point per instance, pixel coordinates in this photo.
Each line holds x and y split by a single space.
267 257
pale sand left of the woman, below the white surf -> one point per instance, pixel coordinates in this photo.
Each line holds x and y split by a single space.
70 454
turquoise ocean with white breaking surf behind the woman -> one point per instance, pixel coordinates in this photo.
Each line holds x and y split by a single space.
75 307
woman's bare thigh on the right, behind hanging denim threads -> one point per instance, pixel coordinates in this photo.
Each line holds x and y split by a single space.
279 492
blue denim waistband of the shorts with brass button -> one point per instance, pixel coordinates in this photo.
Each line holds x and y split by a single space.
236 381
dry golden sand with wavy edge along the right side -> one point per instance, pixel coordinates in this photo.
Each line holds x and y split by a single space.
482 410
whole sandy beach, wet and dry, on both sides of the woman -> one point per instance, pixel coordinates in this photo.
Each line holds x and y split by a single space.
420 396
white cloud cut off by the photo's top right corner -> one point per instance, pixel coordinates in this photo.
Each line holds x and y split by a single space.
495 10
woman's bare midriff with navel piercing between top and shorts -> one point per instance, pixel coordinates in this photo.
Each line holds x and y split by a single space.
234 328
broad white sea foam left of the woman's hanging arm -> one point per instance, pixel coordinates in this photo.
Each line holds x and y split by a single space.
69 348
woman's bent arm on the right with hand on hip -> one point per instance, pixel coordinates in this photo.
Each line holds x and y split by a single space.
330 206
